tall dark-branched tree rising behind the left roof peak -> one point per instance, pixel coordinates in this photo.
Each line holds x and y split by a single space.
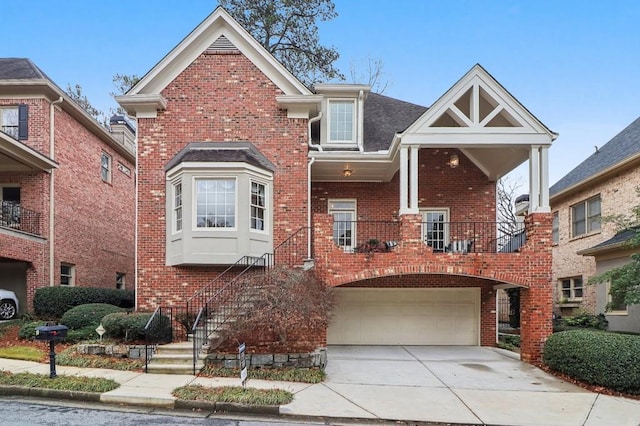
288 30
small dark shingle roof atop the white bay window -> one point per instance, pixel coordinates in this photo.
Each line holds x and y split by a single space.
221 152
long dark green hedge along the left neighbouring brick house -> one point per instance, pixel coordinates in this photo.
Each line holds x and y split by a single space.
53 302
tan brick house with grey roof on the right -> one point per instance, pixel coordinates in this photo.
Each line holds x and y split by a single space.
603 185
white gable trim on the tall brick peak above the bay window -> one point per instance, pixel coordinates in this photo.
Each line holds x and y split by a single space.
215 25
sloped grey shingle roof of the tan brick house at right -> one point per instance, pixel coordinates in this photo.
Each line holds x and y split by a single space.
624 147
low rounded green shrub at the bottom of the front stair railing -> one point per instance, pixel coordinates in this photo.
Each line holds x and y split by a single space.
130 326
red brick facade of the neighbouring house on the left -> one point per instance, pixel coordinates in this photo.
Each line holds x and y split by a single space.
93 220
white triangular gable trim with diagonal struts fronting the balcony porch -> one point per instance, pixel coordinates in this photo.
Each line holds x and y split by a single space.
527 128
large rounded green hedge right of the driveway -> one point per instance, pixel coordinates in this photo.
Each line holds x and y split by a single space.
596 357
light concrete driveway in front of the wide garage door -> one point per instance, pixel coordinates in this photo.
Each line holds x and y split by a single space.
453 384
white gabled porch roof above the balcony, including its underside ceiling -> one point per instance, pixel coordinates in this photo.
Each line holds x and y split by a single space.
481 118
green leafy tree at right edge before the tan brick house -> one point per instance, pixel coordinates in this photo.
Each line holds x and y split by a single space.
624 280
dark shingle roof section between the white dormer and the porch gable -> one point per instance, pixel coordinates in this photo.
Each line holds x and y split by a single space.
384 117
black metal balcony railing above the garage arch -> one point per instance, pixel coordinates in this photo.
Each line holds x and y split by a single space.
443 237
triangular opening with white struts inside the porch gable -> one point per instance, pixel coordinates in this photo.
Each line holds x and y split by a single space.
476 107
